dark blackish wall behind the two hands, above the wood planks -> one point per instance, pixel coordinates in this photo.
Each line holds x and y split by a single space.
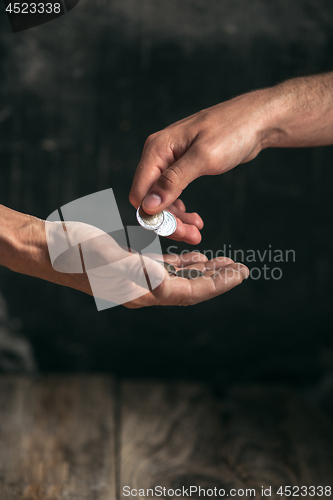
79 97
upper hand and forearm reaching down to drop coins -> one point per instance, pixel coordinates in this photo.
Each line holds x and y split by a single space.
296 113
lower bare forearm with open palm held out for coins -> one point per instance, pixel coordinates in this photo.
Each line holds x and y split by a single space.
24 249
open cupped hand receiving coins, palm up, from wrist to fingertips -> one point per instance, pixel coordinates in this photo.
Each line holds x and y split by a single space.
85 258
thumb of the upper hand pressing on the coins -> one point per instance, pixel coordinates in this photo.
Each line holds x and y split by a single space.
172 182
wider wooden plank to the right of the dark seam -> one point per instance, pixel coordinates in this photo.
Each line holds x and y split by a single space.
181 435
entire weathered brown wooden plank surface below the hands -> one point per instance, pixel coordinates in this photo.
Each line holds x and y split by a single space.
87 437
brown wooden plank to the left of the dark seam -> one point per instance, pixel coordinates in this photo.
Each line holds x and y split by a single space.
57 438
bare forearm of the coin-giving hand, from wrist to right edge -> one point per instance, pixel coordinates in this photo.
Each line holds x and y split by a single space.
299 112
